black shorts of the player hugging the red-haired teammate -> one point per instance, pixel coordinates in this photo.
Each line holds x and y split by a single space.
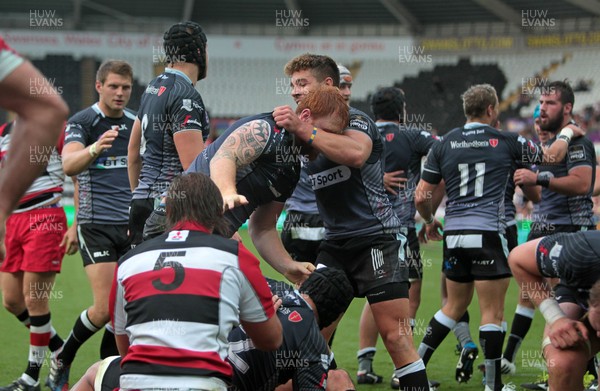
369 261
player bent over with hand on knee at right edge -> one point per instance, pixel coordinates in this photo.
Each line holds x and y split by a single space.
569 343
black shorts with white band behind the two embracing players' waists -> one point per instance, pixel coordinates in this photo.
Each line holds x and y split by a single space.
302 235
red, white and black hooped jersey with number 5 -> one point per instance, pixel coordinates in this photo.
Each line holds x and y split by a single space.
177 297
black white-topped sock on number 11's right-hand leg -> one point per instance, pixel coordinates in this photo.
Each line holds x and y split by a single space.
491 338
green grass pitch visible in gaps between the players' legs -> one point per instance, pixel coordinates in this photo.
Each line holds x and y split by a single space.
72 295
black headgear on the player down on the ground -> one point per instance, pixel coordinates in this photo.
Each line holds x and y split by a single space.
331 291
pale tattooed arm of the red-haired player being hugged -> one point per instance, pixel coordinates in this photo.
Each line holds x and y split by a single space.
242 147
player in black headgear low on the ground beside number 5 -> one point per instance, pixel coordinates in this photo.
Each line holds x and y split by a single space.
303 356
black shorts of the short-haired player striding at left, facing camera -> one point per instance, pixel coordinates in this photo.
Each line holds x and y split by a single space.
100 243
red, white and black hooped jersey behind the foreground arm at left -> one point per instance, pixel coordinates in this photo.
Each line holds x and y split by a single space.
49 185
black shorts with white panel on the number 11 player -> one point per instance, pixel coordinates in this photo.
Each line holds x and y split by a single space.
475 255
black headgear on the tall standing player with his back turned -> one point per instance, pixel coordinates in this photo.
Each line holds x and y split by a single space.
186 42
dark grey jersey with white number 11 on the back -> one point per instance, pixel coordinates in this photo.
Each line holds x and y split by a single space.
476 163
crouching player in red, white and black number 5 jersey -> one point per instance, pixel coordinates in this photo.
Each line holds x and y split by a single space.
172 330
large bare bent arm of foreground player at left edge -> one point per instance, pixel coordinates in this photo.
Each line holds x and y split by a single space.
41 114
